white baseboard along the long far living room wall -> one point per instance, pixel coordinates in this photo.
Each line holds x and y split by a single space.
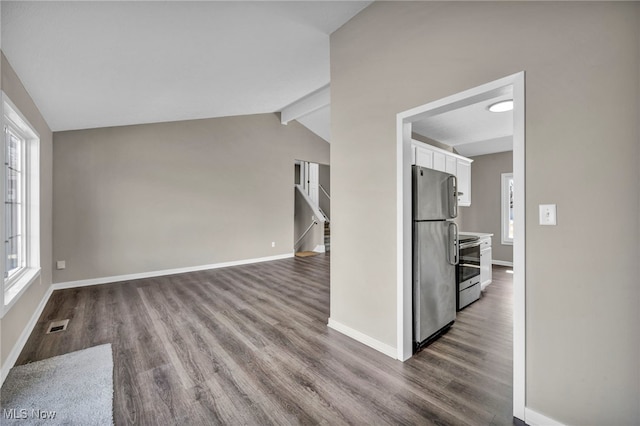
138 276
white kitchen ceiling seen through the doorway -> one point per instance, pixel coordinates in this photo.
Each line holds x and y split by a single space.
471 130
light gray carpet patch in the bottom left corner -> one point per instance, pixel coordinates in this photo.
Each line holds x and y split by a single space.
71 389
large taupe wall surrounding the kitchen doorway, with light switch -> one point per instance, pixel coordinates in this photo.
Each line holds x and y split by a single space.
582 153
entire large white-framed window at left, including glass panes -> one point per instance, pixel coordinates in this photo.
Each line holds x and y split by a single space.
20 230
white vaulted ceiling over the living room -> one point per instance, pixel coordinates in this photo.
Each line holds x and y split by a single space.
100 64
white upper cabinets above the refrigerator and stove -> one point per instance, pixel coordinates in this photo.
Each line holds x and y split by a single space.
435 158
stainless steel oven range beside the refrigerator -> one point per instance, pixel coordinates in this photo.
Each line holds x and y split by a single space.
468 271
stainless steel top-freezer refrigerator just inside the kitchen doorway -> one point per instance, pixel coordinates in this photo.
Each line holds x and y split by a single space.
435 253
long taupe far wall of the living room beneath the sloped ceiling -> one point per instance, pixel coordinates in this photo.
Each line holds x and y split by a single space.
160 196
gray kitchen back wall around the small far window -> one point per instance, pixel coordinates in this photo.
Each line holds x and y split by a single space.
484 214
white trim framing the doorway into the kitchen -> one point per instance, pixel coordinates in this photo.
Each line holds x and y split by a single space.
514 85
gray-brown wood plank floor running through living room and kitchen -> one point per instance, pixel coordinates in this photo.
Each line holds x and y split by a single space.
250 345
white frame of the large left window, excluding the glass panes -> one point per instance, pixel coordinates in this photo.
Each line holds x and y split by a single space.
13 287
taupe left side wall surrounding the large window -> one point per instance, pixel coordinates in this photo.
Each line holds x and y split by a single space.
15 321
